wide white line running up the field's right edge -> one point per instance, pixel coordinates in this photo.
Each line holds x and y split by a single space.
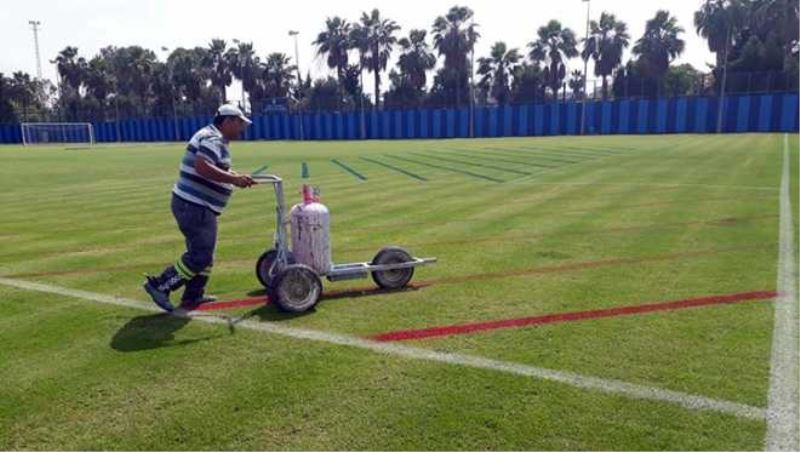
782 408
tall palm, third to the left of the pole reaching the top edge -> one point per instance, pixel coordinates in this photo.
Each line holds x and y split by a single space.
454 36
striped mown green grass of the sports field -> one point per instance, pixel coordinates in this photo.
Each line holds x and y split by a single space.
521 227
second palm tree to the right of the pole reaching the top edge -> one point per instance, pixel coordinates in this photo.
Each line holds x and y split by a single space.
659 45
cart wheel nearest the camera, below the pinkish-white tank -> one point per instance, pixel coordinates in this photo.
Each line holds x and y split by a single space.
296 289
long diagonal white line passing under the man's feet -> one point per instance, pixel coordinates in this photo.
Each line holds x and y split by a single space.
615 387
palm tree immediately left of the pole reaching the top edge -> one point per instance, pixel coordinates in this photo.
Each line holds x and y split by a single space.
555 44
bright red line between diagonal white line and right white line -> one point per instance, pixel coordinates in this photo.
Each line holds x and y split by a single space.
468 328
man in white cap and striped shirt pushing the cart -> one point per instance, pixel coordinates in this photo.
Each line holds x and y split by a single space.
201 193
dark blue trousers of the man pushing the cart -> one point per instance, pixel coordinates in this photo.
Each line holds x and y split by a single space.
199 227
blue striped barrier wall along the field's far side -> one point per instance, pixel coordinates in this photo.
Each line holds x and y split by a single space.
742 113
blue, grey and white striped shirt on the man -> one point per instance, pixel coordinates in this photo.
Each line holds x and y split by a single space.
208 144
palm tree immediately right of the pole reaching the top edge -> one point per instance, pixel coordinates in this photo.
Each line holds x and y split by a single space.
607 40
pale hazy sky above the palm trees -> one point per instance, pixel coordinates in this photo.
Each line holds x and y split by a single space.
93 24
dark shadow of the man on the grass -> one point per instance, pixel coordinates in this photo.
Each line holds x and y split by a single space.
152 331
